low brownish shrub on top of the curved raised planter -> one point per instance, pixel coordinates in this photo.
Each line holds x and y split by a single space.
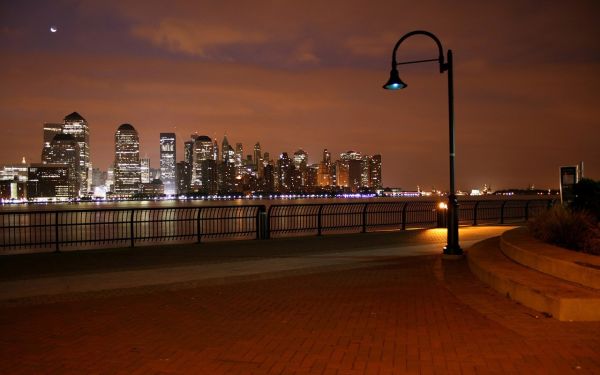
572 229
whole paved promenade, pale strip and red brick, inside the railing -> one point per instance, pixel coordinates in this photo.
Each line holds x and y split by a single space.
375 303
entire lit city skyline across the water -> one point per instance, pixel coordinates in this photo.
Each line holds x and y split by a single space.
65 170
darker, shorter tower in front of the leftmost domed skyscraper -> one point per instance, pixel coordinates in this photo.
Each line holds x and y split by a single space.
63 149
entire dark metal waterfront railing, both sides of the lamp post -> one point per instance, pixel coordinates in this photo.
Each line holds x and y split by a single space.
97 228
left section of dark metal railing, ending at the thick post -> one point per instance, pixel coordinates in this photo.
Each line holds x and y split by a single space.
60 230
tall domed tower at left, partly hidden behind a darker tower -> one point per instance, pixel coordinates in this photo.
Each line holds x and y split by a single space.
77 126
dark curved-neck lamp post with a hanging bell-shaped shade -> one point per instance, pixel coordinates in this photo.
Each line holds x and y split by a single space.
395 83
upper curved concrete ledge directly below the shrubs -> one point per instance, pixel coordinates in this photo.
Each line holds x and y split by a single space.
569 265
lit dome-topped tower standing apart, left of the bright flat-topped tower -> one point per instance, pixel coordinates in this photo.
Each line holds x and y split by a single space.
127 168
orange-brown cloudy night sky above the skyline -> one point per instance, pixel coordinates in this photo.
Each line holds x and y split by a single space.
308 74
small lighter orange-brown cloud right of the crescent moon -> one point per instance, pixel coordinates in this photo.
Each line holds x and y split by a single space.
194 38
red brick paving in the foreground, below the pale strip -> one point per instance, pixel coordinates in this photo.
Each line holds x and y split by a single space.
416 315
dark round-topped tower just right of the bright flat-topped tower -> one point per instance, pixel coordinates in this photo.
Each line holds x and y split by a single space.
204 169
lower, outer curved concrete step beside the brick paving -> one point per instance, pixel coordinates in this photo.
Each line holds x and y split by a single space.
559 298
